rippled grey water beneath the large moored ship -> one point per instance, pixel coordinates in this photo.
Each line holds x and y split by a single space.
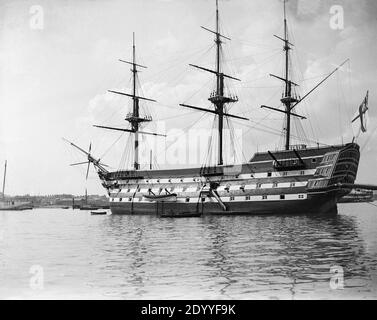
144 257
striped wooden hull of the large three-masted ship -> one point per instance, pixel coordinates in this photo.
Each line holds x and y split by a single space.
301 182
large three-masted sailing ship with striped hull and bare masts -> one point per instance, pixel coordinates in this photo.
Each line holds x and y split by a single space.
297 179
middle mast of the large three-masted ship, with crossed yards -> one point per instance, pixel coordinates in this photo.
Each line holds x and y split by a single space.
217 98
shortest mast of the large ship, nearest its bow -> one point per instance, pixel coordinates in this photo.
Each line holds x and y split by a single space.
134 117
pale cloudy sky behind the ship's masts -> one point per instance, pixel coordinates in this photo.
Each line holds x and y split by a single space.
58 58
